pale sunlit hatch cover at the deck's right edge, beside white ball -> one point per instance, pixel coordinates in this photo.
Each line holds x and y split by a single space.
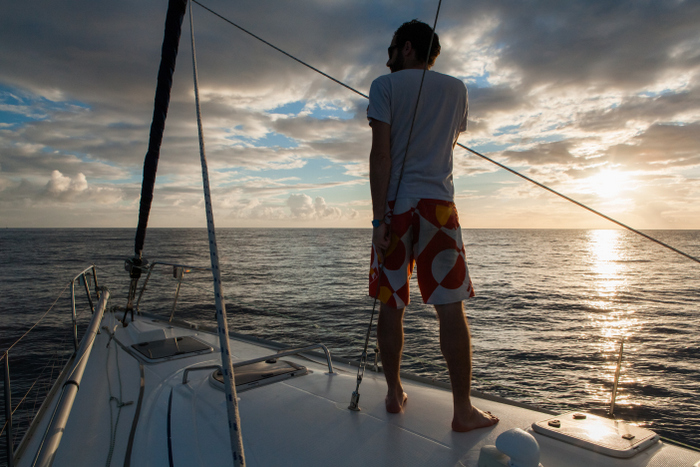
610 437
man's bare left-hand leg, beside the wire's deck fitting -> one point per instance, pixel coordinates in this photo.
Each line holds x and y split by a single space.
390 340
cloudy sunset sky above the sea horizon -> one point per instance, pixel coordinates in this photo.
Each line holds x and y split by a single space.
598 100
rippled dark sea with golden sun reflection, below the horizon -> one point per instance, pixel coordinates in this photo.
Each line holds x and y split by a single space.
551 310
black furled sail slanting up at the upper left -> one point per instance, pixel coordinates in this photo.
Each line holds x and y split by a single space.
171 41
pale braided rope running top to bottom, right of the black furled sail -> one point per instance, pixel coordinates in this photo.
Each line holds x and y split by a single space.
234 420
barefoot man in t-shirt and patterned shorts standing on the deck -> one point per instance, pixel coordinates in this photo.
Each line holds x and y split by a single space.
415 219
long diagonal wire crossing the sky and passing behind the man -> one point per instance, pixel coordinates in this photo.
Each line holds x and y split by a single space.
631 229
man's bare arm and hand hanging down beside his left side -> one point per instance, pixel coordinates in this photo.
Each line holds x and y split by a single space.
379 175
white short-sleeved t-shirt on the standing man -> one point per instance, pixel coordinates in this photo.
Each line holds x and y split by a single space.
441 117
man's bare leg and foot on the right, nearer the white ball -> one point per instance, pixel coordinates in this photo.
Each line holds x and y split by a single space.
455 343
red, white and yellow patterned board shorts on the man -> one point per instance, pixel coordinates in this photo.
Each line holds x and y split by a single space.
424 232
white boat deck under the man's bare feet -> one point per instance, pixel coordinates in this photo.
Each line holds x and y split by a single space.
303 420
